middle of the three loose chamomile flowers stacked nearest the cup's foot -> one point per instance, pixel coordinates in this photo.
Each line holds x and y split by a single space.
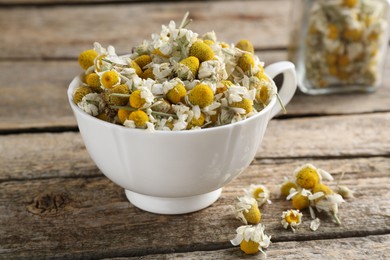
247 210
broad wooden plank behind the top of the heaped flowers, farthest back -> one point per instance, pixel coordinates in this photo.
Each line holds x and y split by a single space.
65 31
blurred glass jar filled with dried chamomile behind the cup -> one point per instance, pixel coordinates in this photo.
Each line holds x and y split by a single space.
339 45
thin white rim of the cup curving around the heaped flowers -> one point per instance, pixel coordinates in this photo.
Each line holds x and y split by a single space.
75 108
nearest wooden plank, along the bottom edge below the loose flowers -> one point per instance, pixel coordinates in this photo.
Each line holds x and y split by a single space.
371 247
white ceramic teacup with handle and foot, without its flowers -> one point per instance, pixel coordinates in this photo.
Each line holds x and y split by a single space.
178 172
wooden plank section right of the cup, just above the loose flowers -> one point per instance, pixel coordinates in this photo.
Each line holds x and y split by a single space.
357 135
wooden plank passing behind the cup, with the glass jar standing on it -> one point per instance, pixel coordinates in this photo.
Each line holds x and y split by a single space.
48 107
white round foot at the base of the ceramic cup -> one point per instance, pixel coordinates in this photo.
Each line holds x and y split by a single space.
171 206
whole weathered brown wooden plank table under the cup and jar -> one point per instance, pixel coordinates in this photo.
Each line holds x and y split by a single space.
55 203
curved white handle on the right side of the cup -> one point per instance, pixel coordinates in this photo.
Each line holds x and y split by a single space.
289 85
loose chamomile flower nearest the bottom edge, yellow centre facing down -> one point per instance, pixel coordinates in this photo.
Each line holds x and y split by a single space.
251 239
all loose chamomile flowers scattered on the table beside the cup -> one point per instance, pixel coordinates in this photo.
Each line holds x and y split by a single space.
307 189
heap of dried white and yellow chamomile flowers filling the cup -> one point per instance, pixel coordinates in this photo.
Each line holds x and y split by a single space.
178 80
